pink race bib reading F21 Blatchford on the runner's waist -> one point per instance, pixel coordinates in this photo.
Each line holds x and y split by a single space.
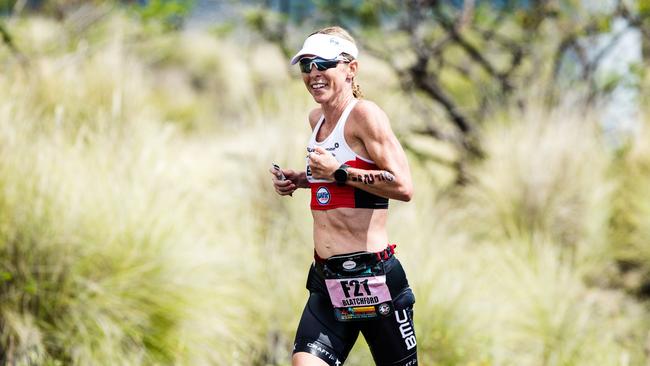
360 298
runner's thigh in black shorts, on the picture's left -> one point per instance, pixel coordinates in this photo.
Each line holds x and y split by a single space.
320 334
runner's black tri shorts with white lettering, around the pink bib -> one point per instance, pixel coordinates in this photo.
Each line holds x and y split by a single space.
391 338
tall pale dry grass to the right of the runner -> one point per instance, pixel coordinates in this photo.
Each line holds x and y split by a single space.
507 269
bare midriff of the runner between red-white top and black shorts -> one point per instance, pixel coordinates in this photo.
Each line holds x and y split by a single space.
348 230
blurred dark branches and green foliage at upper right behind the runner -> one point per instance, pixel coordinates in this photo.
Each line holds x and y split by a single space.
475 58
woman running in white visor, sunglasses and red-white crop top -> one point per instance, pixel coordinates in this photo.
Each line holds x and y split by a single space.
354 166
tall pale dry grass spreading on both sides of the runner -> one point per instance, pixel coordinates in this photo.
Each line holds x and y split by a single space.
138 224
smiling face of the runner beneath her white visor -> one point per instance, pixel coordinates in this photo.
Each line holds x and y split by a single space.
330 85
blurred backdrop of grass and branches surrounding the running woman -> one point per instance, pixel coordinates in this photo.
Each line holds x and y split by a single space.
138 224
